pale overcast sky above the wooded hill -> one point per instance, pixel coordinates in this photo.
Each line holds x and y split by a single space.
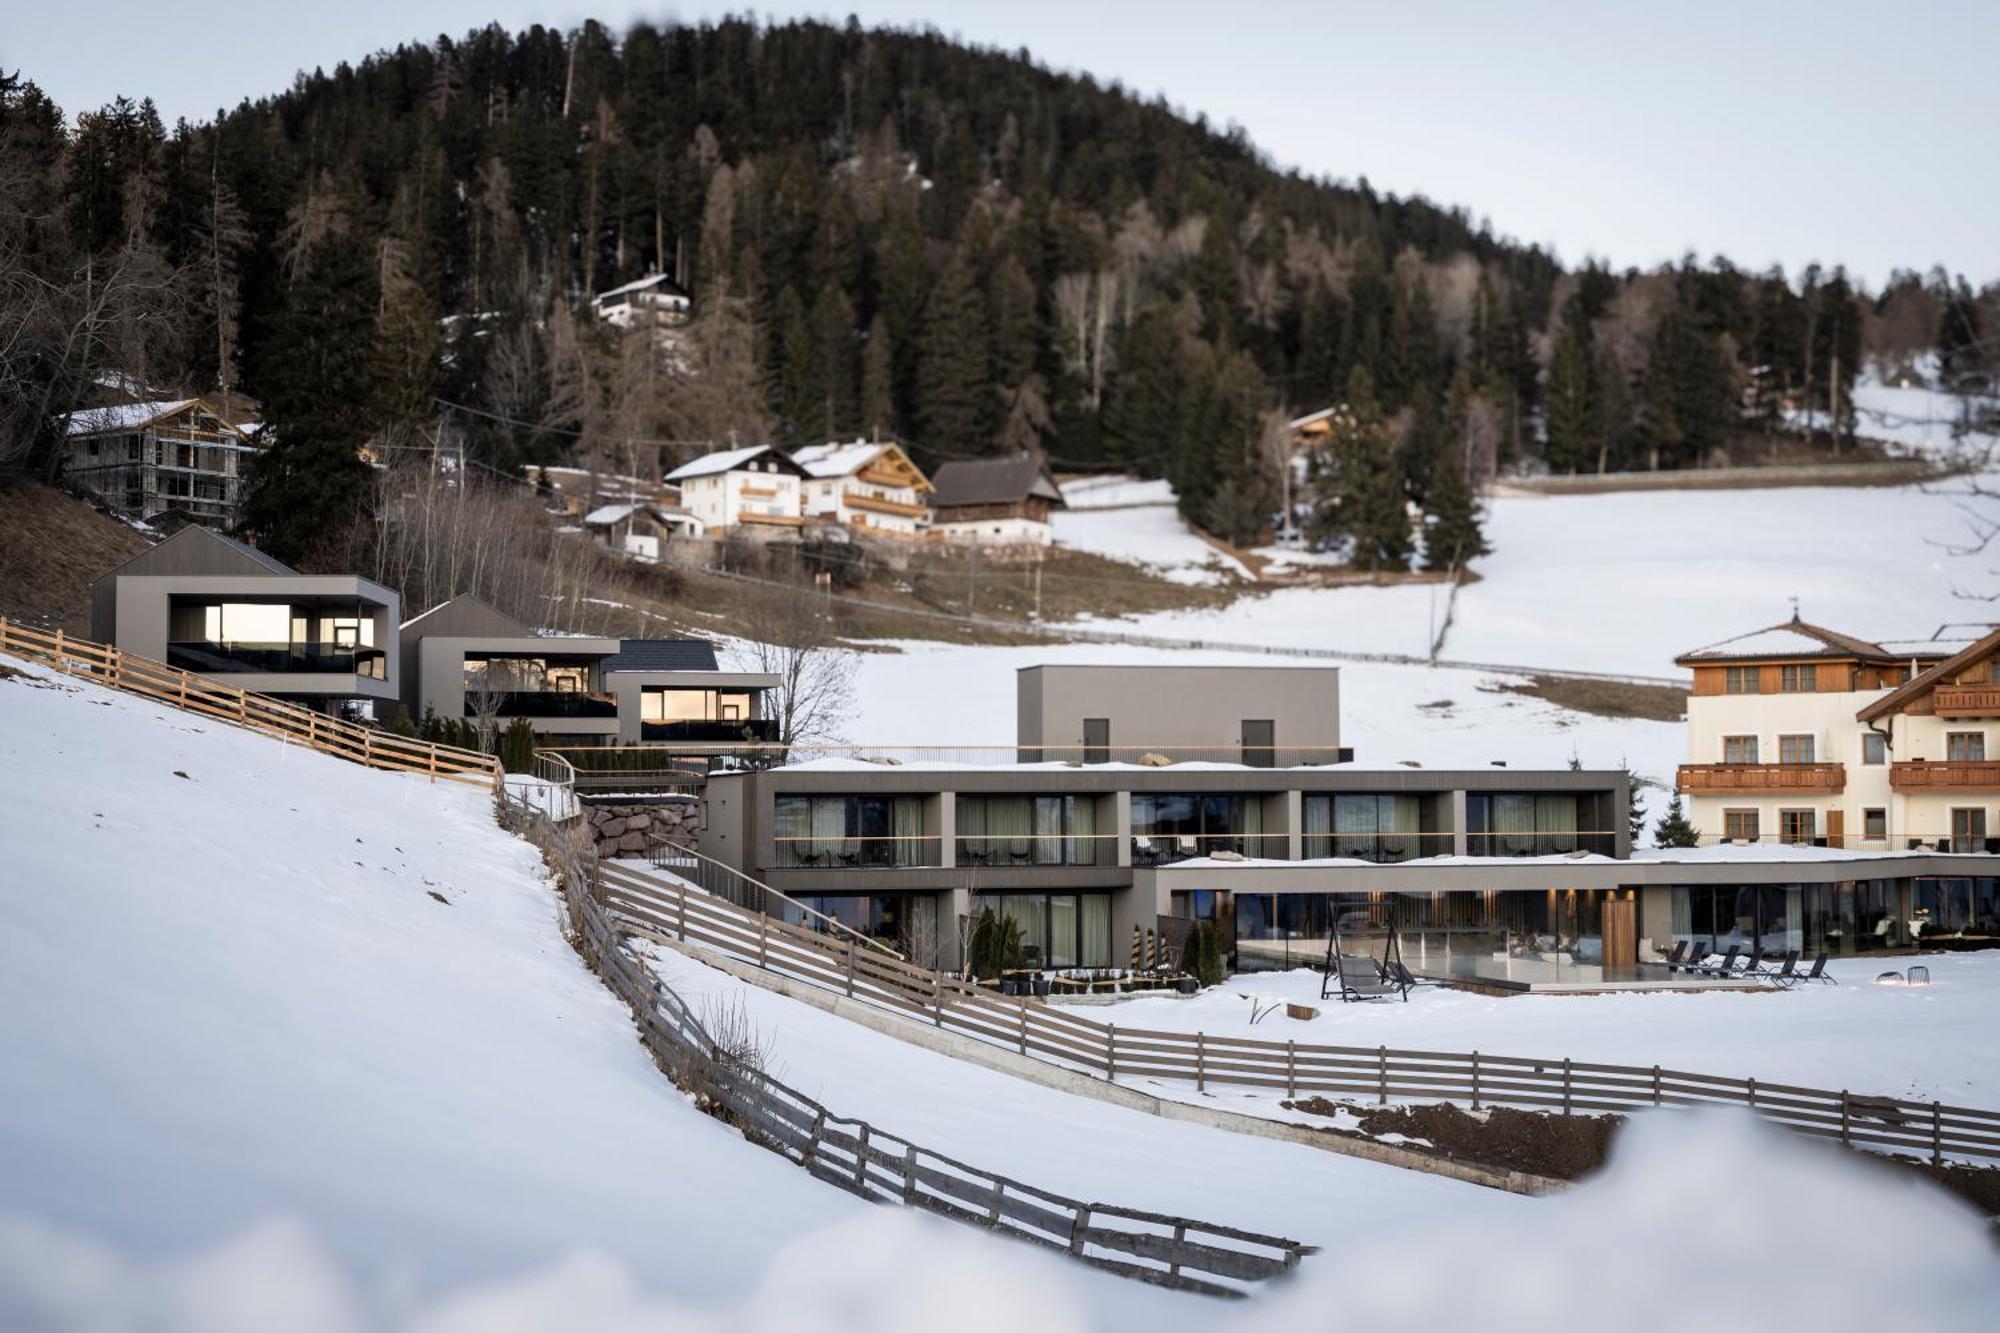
1861 133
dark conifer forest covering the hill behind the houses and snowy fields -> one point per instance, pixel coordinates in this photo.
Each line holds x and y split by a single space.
883 233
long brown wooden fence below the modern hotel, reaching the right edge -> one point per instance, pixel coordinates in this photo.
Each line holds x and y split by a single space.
663 910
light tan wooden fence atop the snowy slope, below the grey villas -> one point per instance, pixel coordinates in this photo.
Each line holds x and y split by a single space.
185 690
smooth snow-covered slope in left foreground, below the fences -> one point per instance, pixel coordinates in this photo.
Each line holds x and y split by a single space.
237 1026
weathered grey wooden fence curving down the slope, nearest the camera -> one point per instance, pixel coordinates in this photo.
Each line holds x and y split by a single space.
1173 1252
